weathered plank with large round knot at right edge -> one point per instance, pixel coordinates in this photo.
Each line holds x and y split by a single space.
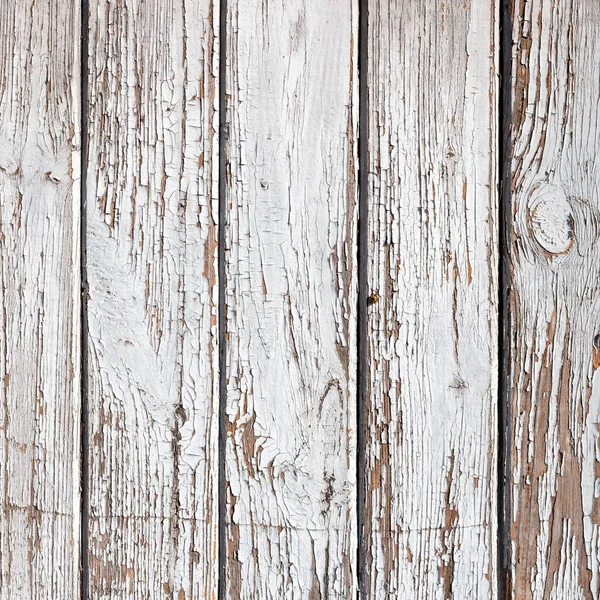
554 303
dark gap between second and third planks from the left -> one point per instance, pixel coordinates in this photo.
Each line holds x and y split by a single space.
222 446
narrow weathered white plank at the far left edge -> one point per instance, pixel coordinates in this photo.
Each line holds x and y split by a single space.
39 299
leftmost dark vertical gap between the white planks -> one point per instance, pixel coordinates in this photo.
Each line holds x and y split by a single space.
84 391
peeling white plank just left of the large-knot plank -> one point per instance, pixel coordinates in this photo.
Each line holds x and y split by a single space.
432 335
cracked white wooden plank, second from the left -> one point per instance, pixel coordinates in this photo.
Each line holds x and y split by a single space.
151 244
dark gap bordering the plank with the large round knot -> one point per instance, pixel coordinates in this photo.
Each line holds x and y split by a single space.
504 417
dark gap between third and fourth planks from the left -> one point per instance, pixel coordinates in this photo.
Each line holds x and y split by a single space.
362 260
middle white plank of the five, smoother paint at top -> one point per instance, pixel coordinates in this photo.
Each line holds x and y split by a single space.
291 297
